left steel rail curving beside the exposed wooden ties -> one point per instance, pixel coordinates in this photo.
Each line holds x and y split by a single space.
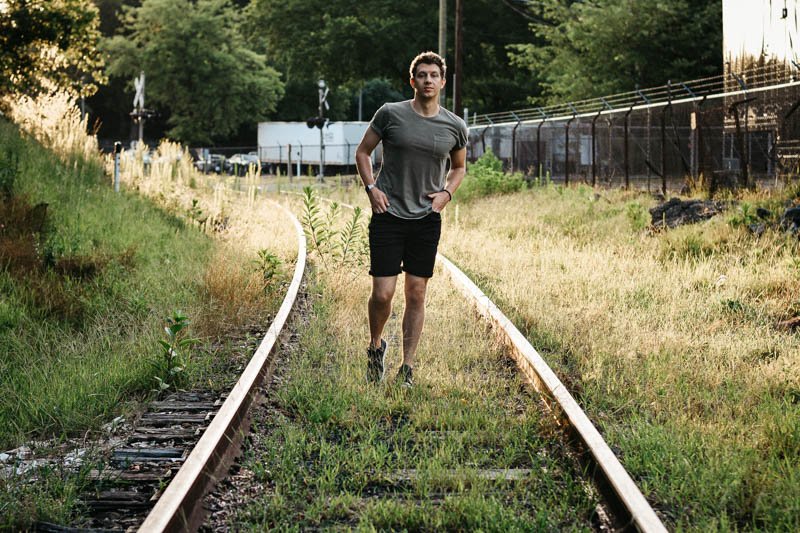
180 506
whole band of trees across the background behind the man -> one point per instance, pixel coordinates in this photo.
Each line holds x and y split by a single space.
215 67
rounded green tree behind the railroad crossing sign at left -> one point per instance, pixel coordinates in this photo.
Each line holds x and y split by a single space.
198 67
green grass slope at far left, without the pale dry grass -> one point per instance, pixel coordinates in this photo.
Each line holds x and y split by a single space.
82 310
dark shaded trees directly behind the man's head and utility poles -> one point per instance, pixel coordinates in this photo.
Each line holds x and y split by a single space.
348 43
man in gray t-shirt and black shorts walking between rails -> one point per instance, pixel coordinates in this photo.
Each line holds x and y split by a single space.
407 198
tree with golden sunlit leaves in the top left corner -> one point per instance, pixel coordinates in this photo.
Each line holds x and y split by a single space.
52 41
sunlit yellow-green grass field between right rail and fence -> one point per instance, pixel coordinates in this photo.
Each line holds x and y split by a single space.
668 341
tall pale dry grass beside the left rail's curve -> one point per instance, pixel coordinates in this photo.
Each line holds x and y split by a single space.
243 223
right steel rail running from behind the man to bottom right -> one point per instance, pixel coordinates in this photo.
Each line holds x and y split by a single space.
614 481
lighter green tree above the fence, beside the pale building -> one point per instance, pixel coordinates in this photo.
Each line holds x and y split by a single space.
598 47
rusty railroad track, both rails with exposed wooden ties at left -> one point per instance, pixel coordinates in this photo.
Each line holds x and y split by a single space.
192 475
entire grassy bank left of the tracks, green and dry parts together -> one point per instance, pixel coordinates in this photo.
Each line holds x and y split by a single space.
88 280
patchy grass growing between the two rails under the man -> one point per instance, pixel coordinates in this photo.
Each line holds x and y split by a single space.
335 451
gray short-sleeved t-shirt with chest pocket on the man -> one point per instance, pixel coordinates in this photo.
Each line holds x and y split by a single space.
415 153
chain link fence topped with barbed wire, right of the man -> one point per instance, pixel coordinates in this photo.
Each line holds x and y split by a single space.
730 138
